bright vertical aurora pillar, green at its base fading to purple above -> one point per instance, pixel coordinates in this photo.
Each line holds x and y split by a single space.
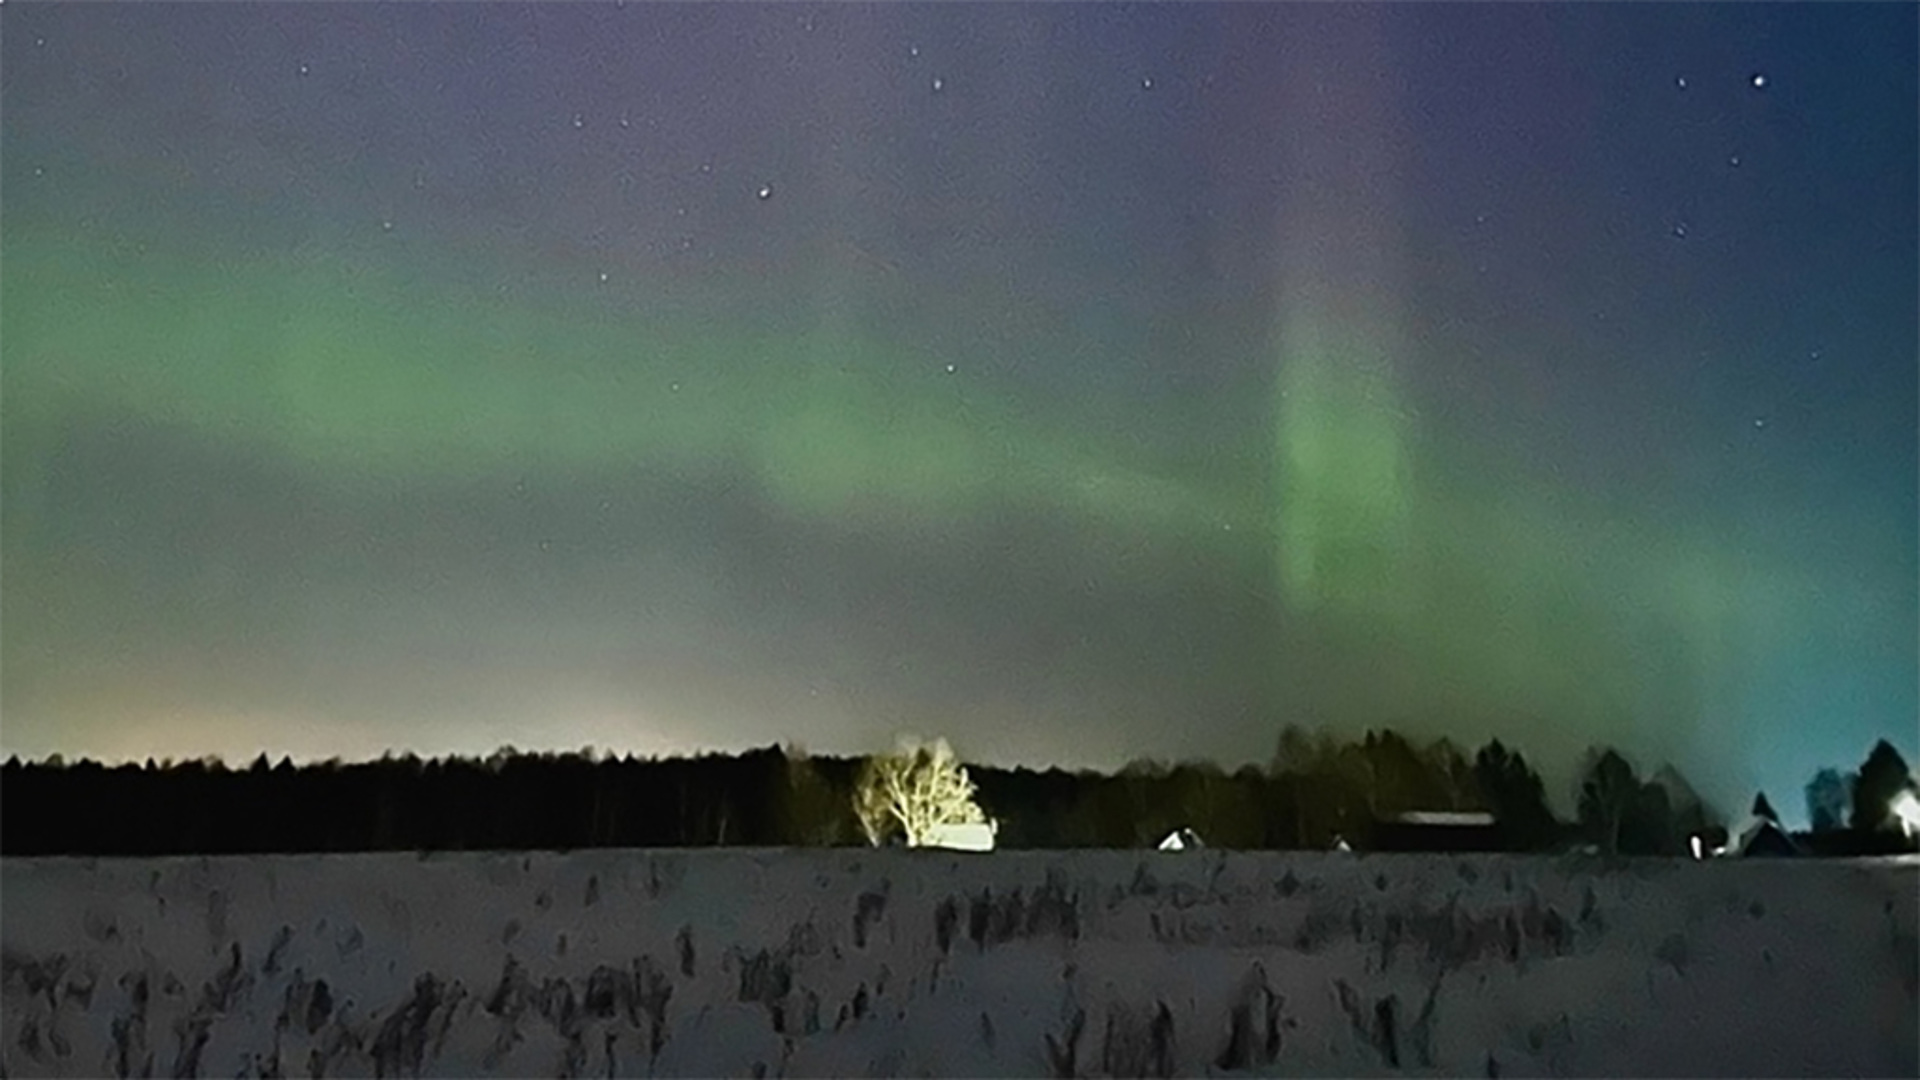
1341 472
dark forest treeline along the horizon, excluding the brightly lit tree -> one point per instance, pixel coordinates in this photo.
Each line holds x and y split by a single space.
1314 795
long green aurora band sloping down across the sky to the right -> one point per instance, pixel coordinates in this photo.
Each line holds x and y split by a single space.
1479 593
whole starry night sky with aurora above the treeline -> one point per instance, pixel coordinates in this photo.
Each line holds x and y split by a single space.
1074 381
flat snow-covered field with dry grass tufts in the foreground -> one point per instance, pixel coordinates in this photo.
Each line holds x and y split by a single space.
921 964
